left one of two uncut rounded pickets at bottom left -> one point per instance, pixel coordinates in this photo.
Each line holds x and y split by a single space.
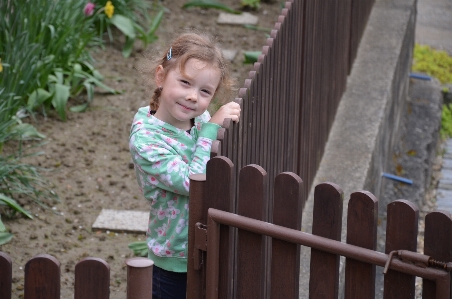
42 278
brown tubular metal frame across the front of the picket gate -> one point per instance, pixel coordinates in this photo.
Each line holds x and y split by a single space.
216 217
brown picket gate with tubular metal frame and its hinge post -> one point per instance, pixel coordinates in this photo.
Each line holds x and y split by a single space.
254 254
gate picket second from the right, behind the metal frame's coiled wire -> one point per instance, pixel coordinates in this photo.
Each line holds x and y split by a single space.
401 233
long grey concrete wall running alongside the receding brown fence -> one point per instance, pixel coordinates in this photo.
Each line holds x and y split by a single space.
368 118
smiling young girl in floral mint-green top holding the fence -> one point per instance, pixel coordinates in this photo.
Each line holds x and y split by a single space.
170 140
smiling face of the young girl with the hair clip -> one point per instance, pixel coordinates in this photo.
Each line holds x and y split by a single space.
185 96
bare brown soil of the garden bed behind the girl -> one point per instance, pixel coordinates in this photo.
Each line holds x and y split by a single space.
90 161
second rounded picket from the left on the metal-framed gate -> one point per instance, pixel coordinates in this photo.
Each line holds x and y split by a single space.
252 203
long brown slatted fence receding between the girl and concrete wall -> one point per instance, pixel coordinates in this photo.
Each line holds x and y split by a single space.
290 98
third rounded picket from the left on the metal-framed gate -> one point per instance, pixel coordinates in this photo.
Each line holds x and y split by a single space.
285 261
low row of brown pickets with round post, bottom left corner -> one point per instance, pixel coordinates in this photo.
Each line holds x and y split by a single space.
92 278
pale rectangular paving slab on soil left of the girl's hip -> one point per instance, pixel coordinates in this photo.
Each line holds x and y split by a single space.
121 220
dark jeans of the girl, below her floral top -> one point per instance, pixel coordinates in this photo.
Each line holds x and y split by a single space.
168 285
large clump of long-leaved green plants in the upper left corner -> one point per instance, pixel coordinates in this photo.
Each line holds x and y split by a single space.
38 43
